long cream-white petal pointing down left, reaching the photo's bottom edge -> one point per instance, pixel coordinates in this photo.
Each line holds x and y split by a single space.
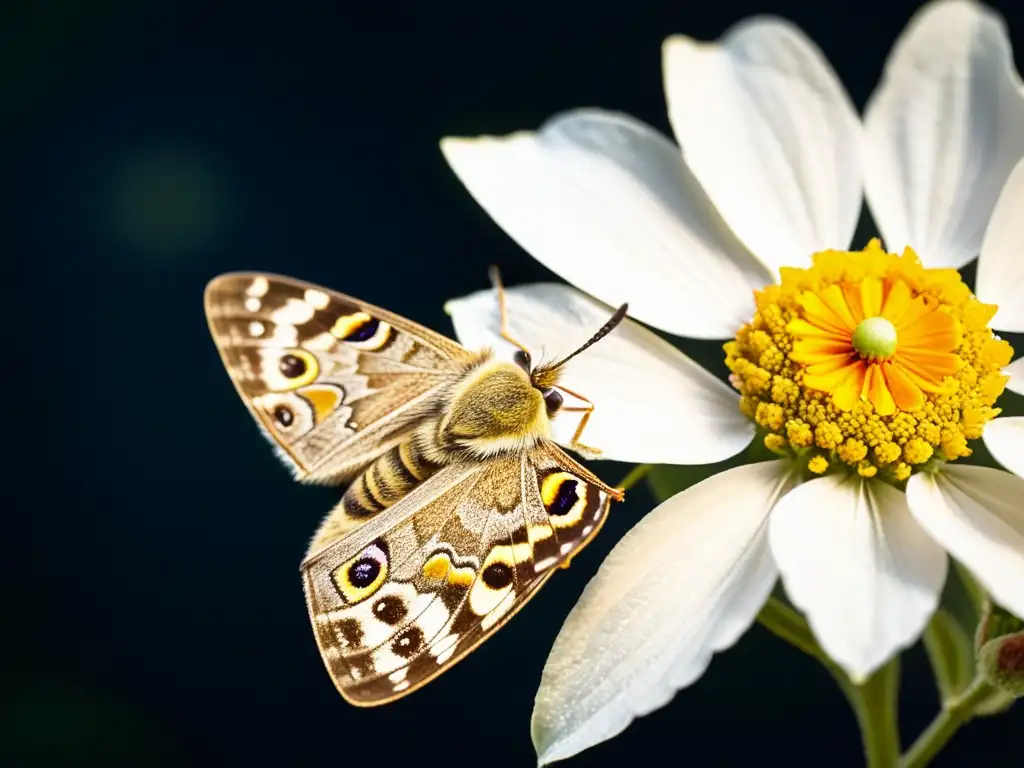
684 584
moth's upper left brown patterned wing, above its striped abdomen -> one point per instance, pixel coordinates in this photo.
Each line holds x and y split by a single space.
331 380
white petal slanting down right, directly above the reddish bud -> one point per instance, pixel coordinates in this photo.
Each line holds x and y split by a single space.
976 515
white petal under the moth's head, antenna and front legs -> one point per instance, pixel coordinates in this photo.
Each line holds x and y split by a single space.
653 404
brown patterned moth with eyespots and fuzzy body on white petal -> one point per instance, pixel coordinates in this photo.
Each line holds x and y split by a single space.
459 505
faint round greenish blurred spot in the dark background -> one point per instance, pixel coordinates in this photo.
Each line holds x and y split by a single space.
167 203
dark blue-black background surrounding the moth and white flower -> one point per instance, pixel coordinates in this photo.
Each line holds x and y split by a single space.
153 608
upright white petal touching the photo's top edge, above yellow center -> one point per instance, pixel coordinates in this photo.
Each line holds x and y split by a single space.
944 133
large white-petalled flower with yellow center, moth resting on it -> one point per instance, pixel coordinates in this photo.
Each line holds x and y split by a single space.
773 167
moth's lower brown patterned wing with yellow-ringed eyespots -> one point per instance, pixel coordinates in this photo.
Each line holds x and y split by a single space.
413 591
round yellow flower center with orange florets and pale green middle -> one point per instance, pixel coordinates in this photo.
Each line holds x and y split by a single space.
869 362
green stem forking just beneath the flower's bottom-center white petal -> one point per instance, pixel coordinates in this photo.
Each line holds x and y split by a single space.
874 703
